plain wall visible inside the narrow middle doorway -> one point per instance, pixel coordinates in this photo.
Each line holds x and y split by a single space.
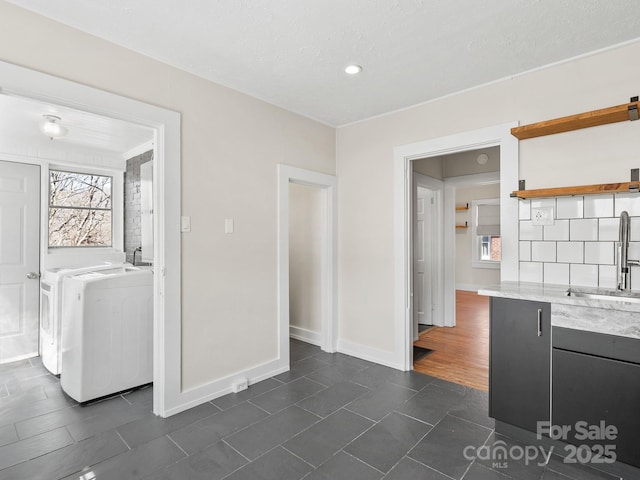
305 222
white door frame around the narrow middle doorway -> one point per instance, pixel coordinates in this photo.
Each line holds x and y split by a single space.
328 257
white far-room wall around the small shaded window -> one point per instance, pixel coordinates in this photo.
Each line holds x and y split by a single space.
467 276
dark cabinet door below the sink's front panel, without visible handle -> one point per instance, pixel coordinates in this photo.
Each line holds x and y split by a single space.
593 389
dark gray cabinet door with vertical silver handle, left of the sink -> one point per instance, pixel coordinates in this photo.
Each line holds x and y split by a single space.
520 361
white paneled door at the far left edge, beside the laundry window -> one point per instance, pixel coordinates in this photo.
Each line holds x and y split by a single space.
19 260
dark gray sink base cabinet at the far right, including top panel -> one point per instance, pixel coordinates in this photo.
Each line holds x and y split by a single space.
596 382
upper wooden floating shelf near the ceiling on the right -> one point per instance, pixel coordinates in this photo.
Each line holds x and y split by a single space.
604 116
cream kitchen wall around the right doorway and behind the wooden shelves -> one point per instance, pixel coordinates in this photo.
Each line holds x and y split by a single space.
365 165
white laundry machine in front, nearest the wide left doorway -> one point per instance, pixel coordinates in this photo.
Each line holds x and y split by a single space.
107 341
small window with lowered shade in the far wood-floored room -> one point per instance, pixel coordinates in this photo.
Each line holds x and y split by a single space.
485 226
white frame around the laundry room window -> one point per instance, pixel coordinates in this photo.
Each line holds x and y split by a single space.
117 210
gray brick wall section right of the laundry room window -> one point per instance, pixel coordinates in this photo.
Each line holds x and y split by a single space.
132 232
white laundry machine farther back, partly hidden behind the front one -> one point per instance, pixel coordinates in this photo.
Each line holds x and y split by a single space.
51 311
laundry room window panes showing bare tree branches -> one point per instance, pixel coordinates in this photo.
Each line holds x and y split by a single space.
80 210
